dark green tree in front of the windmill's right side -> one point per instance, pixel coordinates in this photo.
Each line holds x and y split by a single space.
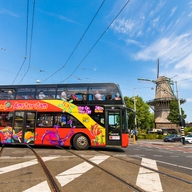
174 112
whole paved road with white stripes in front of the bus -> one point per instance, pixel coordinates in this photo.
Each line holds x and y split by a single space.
146 166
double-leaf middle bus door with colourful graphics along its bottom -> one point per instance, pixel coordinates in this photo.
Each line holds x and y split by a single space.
24 123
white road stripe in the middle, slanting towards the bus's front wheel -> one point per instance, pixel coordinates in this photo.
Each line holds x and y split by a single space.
71 174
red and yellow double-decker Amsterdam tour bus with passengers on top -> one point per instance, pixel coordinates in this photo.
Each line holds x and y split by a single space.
71 115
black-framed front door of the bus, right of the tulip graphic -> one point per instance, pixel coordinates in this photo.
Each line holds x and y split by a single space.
113 126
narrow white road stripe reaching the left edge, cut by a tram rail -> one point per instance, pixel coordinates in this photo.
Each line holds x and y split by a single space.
23 165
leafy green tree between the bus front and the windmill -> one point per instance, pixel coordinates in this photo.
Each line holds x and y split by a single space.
145 119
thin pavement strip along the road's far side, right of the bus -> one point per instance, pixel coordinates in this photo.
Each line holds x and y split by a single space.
159 142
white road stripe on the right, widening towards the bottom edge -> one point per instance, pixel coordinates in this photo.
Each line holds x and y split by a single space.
149 180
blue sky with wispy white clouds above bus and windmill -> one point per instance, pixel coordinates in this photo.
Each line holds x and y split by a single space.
69 41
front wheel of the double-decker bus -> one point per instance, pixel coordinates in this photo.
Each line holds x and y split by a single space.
80 142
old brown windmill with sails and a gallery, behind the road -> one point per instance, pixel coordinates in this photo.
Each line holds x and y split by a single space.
164 94
